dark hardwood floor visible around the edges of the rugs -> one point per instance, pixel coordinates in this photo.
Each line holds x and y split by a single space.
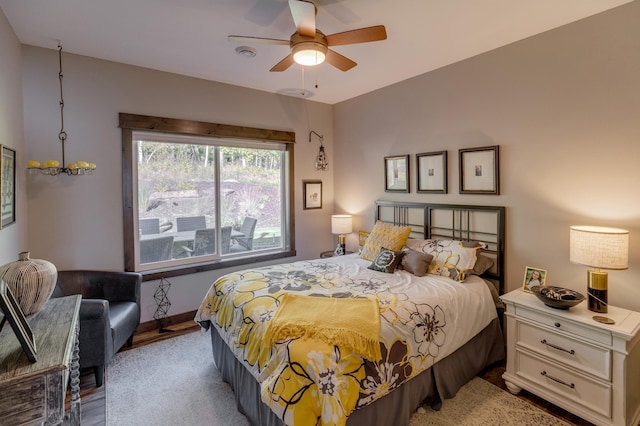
94 399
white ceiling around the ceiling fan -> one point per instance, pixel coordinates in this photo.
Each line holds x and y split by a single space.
189 37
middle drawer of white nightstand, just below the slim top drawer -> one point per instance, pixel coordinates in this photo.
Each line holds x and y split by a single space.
582 356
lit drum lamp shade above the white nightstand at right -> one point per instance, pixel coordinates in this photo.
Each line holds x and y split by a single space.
599 247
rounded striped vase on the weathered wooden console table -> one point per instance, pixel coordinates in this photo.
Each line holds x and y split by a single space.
31 281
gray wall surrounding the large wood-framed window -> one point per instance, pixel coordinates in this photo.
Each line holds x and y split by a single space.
76 222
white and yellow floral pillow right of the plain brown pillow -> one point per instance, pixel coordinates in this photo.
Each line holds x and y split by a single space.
451 258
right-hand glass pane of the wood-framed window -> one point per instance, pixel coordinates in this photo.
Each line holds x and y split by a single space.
251 197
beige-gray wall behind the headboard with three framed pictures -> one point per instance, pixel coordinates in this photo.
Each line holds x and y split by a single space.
564 106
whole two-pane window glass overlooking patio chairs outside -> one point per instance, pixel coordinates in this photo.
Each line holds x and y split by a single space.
201 201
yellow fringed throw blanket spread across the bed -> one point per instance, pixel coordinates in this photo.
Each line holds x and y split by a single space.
352 324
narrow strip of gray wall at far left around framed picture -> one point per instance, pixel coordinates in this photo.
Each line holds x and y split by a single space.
13 238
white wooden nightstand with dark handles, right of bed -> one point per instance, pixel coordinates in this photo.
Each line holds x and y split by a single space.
569 359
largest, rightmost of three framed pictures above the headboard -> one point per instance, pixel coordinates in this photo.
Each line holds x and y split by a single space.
480 170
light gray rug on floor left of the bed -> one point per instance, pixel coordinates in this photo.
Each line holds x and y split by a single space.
171 382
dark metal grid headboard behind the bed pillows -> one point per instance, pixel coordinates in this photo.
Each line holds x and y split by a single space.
453 221
